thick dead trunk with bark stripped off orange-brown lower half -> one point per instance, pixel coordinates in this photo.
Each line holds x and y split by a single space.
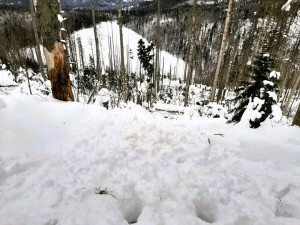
47 14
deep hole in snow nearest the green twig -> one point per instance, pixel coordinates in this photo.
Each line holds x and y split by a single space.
131 209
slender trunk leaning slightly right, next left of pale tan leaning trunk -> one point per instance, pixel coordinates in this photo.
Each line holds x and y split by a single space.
190 57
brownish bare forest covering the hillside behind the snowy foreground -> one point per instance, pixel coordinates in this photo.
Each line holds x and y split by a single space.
193 33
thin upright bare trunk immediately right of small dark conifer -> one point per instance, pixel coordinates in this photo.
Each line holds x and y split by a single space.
157 59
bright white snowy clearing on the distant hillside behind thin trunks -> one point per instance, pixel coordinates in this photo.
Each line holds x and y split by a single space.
110 31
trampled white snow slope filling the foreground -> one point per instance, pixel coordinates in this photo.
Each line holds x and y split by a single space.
57 157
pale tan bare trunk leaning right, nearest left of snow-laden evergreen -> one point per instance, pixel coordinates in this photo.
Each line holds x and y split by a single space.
213 92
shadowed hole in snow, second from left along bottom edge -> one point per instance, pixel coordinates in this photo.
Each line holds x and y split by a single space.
205 210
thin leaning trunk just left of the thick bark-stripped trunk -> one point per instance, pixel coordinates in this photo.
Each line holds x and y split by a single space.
37 40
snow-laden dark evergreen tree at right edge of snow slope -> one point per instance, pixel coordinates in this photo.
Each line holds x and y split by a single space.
258 96
